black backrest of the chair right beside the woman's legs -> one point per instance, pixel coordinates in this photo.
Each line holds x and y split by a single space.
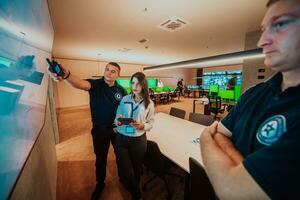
154 160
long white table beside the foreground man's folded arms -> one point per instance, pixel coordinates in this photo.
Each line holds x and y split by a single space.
174 137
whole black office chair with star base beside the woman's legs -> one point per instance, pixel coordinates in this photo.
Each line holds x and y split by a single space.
156 162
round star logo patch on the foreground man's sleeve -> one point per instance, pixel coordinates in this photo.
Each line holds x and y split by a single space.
271 130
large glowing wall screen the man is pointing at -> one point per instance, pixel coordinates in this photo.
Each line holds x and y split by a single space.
26 38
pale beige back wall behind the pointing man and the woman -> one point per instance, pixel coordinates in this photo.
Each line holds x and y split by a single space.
66 96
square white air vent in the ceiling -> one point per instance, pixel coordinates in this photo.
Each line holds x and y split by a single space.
173 24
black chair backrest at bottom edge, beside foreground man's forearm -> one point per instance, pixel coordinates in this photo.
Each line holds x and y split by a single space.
200 186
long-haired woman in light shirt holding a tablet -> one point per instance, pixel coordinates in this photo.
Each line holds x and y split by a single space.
137 111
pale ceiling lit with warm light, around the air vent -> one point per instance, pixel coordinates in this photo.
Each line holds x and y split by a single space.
84 28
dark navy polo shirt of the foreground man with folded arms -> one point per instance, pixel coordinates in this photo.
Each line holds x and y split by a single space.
265 126
